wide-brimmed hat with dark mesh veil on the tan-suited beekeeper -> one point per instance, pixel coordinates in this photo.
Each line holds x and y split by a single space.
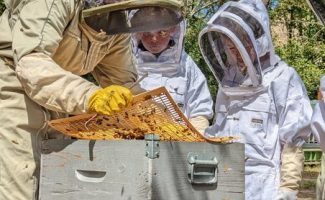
111 16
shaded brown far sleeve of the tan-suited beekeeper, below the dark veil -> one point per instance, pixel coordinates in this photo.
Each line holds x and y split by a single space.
117 67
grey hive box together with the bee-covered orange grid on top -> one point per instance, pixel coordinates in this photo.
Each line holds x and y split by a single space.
118 158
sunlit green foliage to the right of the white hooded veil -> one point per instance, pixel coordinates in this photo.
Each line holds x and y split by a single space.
304 43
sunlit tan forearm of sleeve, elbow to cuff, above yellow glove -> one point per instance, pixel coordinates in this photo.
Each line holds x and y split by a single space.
51 86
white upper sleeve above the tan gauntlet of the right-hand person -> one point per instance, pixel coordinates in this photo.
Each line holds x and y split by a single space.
295 111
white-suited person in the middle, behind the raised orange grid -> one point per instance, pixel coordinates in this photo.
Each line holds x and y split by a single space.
160 55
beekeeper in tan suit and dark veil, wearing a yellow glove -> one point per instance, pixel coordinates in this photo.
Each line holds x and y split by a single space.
44 47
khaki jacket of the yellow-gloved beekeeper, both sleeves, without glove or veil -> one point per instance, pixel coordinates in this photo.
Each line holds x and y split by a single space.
50 48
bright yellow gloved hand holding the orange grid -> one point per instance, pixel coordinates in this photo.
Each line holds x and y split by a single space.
110 100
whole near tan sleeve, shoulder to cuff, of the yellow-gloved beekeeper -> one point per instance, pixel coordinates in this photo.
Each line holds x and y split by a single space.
36 36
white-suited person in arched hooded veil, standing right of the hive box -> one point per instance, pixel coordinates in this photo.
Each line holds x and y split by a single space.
261 99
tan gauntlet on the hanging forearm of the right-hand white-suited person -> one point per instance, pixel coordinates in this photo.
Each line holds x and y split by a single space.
292 166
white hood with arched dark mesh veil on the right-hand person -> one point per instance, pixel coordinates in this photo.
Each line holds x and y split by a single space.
237 46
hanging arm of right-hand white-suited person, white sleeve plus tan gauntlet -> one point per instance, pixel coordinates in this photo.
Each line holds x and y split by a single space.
295 112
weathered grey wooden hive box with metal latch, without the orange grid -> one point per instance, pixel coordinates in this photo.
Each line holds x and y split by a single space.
141 169
